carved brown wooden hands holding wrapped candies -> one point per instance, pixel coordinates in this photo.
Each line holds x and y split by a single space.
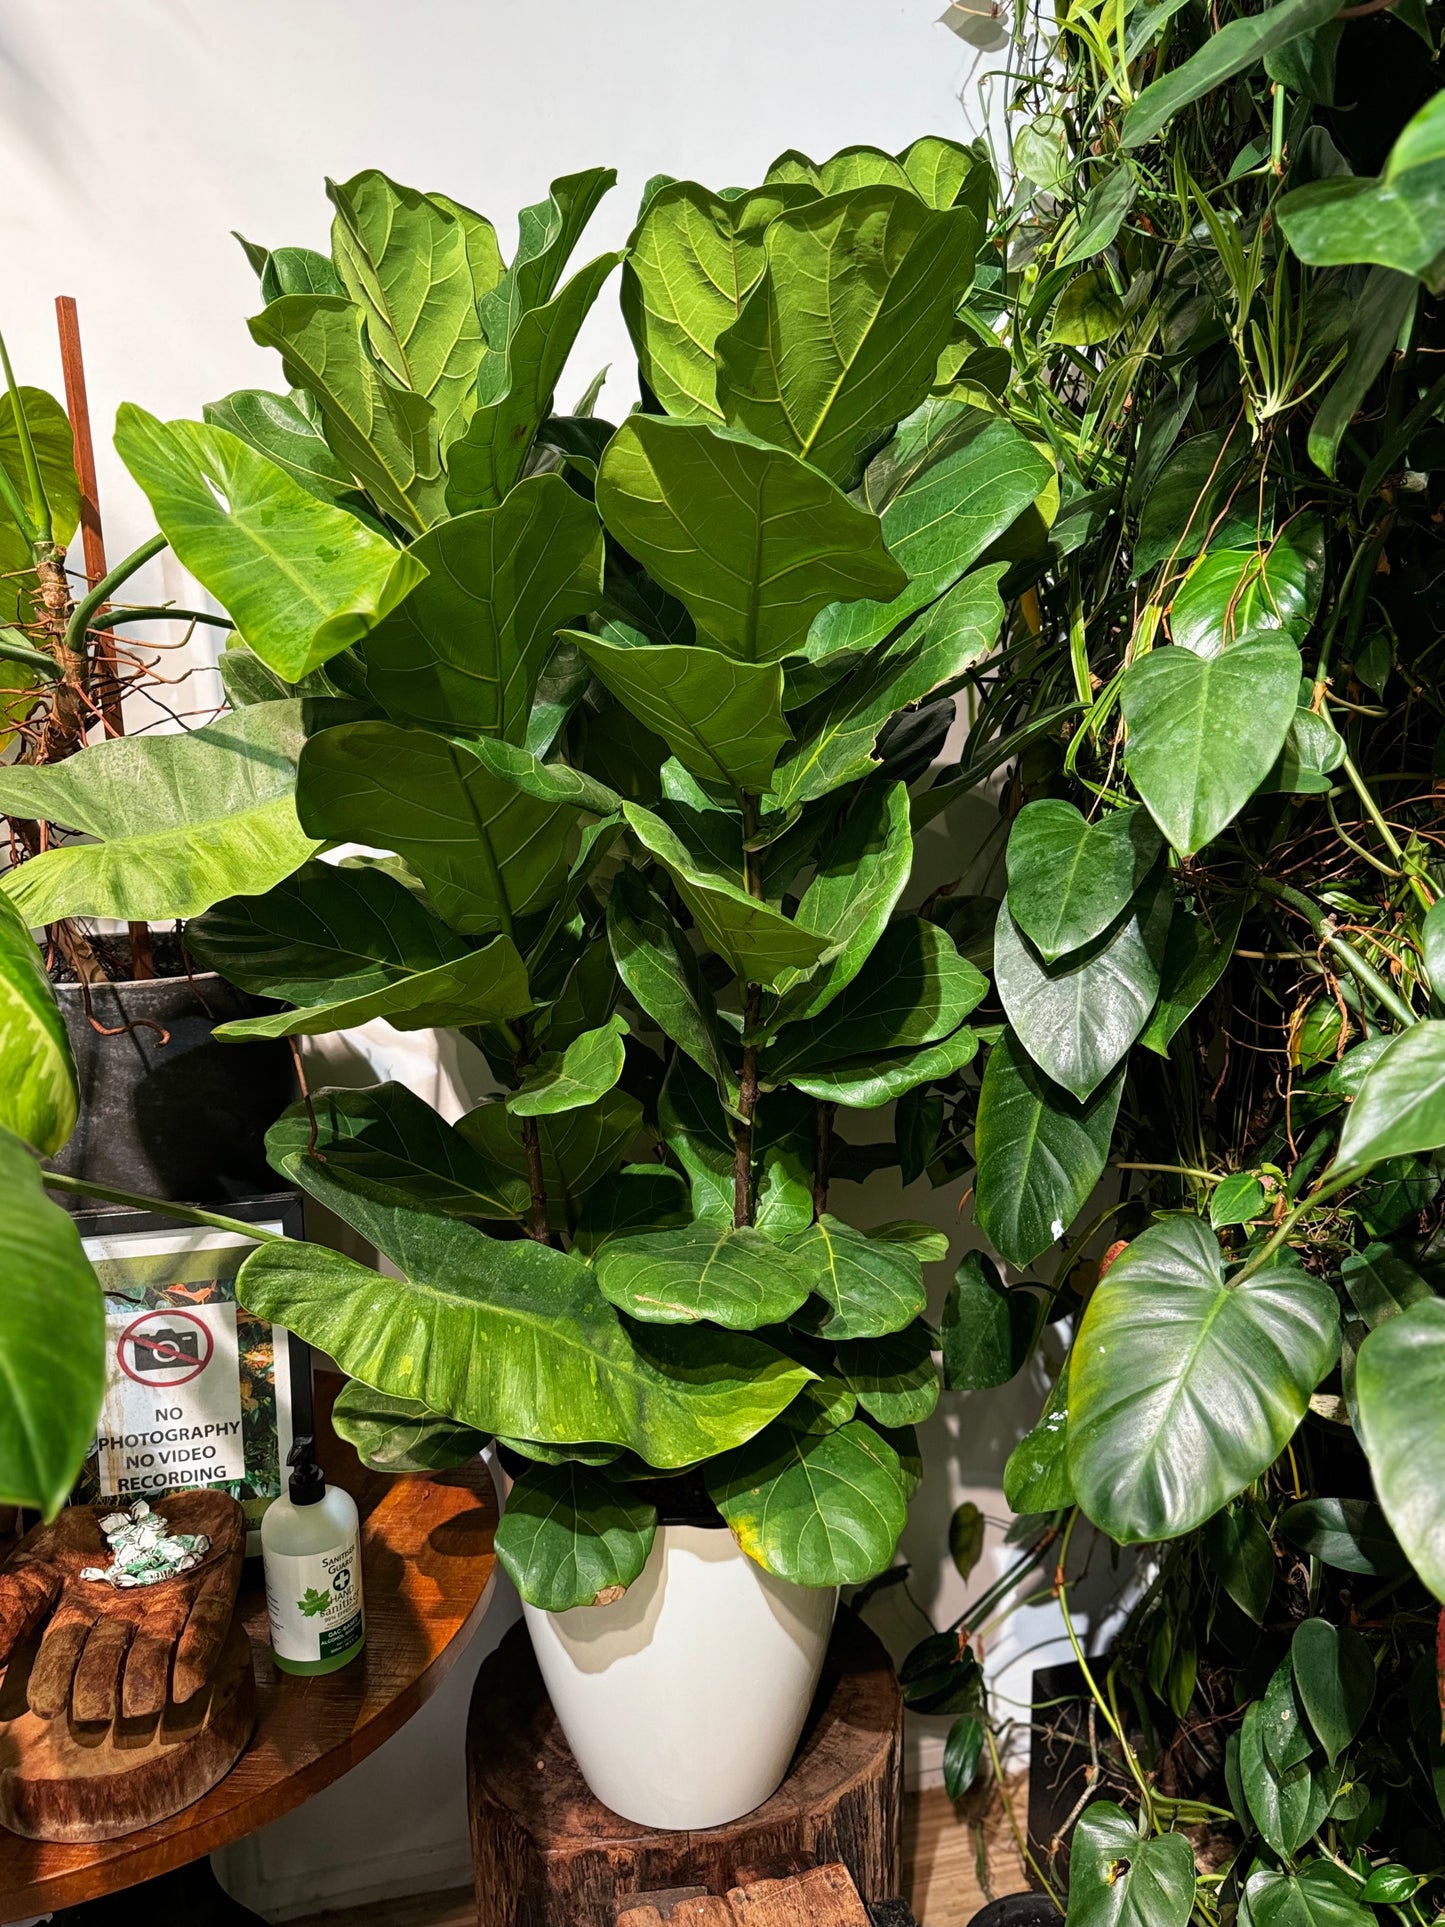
122 1652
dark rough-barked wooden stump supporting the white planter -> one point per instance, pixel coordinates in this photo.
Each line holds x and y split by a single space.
550 1855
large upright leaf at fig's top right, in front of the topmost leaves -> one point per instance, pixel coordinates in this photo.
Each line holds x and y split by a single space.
843 334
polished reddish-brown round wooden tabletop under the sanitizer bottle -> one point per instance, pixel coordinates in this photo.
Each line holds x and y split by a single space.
427 1562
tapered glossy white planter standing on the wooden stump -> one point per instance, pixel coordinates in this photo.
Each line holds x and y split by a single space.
683 1701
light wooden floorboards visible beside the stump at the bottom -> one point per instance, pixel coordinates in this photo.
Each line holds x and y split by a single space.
955 1861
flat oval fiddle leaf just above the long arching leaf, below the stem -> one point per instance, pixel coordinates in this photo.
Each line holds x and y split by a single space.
718 1273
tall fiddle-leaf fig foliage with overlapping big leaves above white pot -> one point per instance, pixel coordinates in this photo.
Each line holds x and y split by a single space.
635 718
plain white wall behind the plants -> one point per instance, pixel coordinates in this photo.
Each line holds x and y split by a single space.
134 138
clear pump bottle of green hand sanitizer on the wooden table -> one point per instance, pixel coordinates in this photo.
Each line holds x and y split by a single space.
311 1548
